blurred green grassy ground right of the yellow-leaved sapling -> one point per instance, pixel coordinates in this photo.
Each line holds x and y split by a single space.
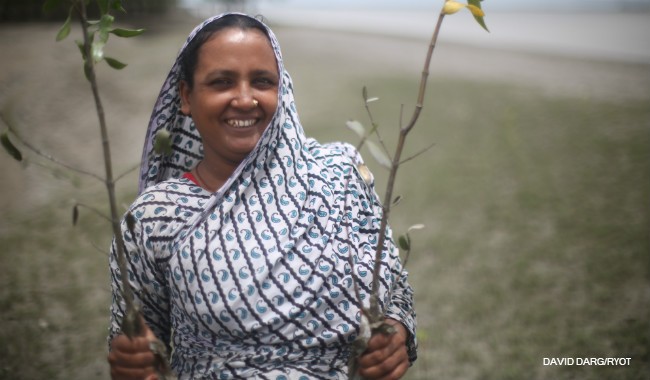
537 243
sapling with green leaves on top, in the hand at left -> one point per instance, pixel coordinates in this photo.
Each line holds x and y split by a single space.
95 36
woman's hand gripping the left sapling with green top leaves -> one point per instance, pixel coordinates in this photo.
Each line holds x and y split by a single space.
131 359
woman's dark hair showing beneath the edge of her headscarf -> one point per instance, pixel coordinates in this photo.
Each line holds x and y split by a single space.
190 56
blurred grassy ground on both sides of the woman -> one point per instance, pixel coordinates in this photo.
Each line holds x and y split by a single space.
536 245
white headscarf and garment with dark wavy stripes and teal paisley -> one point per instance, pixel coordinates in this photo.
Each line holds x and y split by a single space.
257 279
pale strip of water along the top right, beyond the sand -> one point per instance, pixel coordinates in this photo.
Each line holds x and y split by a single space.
608 36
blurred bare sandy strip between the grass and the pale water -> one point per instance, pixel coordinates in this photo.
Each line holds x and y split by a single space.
42 88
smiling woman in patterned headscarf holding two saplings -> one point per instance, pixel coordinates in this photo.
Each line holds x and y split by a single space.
240 254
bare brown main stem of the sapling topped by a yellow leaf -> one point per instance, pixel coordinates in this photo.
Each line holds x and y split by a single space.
375 313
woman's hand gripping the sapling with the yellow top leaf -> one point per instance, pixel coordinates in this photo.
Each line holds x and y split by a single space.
386 357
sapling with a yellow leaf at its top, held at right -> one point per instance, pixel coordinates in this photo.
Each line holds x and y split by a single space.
373 320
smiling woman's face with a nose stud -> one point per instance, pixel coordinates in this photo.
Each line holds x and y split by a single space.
235 93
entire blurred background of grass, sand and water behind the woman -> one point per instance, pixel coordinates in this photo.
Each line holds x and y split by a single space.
535 196
